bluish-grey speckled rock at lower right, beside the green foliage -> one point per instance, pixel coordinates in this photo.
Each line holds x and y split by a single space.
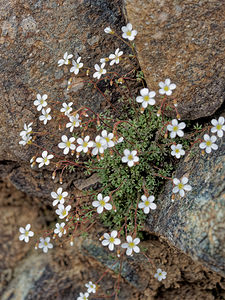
196 223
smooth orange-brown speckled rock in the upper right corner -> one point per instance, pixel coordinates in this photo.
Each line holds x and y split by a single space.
183 40
